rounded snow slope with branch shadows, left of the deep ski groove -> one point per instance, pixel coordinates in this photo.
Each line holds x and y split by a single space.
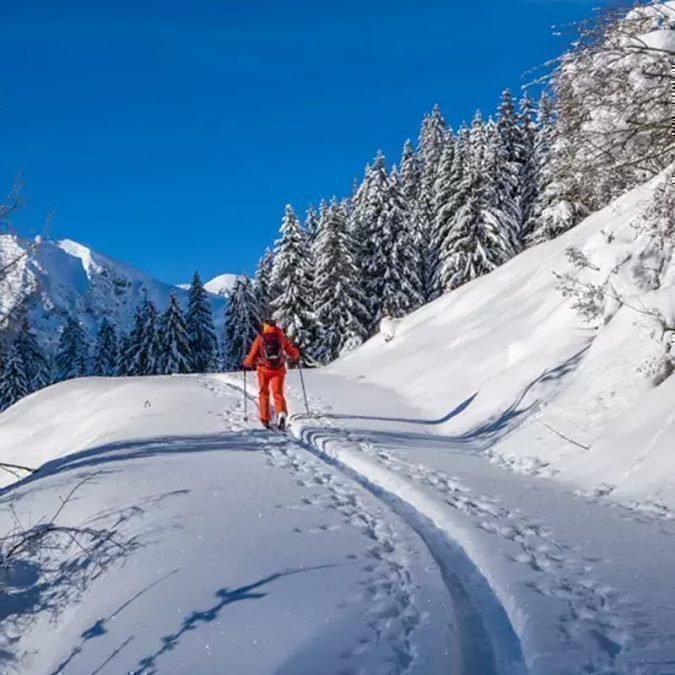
168 537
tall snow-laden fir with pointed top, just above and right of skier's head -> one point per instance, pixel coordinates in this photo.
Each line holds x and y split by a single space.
291 279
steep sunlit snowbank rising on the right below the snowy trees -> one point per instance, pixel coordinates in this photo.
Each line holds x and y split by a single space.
539 387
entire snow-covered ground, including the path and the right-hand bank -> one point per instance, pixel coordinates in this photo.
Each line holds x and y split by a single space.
484 487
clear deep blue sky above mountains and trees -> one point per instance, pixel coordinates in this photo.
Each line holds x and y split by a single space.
170 134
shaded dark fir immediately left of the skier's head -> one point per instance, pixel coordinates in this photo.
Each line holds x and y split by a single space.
242 323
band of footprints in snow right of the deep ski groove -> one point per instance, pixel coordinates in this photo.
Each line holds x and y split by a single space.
595 615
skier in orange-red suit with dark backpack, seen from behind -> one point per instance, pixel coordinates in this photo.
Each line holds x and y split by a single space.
268 353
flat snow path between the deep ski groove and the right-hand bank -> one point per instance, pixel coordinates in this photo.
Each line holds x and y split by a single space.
553 561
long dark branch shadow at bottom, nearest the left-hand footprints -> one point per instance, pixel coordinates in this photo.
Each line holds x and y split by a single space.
224 597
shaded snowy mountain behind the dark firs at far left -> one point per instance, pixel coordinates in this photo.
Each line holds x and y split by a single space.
64 278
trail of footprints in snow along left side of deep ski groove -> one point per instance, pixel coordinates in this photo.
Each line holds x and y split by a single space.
388 587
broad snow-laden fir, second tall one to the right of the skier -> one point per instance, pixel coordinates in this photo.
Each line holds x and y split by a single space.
339 301
